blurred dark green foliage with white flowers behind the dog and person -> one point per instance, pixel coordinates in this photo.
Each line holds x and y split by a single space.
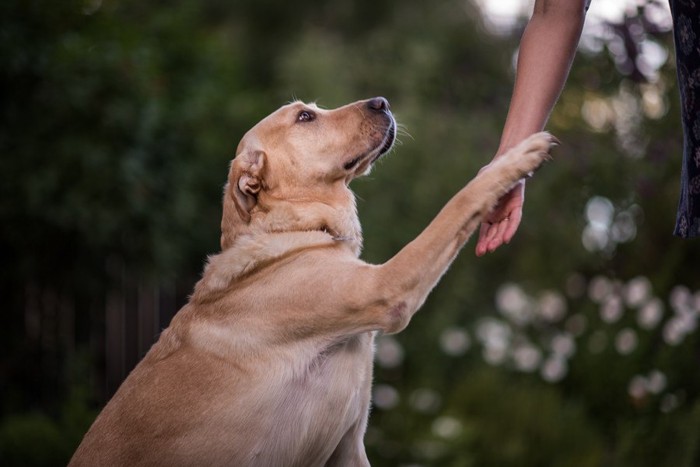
118 123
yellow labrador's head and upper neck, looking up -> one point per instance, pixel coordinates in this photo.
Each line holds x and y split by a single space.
292 170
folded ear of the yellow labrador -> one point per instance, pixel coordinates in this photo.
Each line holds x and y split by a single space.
245 181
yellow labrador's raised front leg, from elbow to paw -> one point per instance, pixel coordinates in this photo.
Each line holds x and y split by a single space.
402 284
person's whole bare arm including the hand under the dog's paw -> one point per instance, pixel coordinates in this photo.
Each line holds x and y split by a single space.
547 50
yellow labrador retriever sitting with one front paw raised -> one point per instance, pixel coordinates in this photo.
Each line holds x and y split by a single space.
270 362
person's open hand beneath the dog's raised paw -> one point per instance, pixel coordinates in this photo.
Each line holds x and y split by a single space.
500 225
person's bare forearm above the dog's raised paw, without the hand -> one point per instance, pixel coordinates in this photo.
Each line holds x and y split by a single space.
547 50
